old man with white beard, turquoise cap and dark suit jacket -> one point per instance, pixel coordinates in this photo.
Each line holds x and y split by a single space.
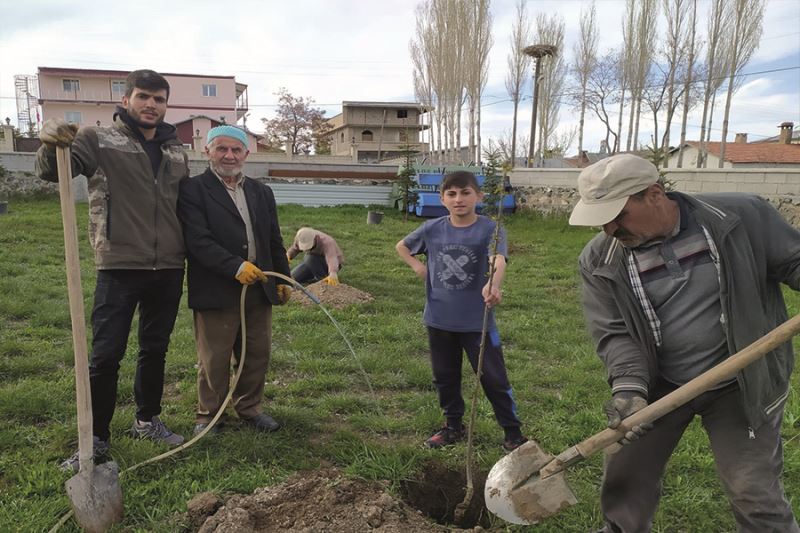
230 225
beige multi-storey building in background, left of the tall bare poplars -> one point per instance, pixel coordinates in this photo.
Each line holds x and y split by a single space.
373 131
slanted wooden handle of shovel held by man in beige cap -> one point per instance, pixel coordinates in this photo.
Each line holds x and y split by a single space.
691 390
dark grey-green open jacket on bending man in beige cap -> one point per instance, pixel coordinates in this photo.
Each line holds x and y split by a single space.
758 251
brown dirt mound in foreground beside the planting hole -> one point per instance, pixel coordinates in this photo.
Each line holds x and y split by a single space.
319 501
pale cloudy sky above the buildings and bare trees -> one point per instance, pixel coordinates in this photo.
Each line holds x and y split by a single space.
335 50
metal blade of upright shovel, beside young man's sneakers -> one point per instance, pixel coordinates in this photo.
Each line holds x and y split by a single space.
96 497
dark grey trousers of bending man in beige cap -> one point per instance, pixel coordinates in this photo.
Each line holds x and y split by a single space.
748 464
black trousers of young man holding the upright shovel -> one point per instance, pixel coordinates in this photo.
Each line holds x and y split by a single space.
157 293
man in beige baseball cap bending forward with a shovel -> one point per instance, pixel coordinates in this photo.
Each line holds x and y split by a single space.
672 286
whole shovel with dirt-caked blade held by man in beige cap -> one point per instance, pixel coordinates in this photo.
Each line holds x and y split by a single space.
528 485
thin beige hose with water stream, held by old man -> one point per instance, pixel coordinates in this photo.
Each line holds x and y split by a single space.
236 377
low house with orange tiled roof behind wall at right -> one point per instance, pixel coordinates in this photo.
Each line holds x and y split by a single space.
741 154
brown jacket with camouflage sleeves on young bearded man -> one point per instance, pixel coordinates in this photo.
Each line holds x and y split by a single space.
132 219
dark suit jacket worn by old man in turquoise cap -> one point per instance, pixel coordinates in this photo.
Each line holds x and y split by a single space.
216 239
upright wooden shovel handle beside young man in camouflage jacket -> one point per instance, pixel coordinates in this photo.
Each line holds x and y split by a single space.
75 293
